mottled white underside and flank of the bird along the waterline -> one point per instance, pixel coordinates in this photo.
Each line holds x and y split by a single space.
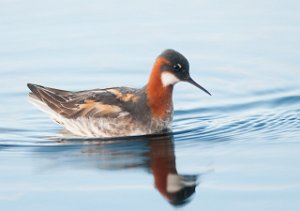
101 127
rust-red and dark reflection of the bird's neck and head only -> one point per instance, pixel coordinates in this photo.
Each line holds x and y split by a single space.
176 188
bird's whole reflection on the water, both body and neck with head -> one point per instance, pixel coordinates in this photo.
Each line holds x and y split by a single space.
155 153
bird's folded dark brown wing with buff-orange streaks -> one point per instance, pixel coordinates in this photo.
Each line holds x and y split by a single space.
110 102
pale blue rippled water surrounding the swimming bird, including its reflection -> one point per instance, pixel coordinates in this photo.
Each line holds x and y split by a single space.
236 150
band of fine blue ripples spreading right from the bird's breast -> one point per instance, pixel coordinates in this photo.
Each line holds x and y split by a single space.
257 120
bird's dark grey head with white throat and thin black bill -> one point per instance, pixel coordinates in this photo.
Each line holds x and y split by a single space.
175 68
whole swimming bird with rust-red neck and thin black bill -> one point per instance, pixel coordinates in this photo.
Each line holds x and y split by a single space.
118 111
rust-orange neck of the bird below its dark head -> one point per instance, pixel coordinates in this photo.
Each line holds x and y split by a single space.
159 97
